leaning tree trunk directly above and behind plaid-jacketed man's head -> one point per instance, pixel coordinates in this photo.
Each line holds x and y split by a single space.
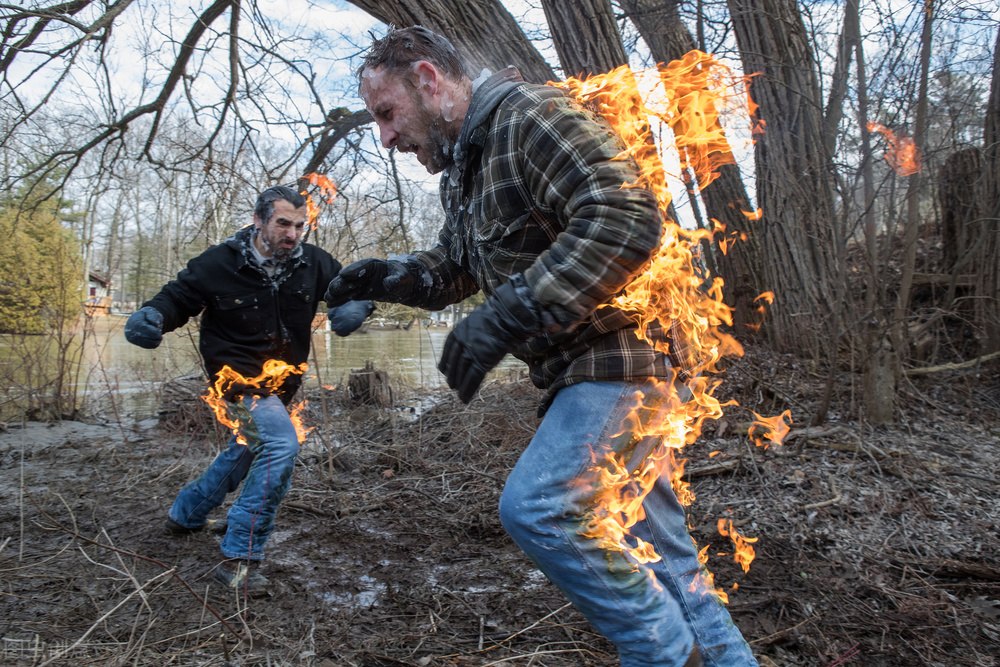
483 32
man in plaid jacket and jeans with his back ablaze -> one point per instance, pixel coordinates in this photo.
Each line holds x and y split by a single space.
537 218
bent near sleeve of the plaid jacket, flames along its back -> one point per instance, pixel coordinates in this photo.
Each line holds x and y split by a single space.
572 166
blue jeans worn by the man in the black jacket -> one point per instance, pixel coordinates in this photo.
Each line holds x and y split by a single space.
264 465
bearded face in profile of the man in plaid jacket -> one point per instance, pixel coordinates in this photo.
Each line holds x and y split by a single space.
406 119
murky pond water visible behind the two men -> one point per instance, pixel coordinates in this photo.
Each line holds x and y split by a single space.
117 376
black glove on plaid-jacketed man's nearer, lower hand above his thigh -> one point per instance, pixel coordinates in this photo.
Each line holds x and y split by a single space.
480 341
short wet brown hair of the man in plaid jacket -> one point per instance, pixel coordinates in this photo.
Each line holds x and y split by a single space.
399 49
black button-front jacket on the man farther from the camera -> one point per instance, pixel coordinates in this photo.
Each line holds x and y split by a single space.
248 317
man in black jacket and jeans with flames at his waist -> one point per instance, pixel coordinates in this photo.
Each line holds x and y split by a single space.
257 293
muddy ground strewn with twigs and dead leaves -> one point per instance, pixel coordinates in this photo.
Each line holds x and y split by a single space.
877 546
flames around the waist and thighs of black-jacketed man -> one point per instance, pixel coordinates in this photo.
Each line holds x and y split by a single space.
232 384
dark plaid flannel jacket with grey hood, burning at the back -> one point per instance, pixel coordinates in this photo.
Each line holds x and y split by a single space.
536 188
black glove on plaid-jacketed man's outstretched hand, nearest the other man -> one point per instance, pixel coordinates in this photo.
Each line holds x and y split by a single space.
379 279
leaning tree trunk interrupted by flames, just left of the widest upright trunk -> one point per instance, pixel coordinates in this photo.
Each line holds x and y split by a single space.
726 197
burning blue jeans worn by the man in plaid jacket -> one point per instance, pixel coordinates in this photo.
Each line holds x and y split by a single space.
645 609
